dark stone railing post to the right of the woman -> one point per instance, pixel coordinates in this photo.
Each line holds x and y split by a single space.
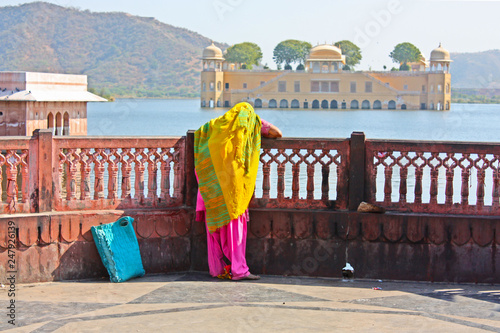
356 170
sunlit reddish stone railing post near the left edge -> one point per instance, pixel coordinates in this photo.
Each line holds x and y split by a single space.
45 195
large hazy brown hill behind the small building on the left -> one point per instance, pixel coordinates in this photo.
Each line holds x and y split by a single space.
123 55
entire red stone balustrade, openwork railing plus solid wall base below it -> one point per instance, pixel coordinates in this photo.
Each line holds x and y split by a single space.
442 200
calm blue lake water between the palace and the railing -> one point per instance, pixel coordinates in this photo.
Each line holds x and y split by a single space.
140 117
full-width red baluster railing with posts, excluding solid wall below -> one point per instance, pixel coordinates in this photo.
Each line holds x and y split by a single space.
45 173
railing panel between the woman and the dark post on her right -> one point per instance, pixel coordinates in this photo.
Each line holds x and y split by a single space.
303 173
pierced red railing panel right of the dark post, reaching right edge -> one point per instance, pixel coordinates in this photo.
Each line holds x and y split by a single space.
437 177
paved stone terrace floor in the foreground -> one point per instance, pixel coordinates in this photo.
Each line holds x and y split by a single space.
195 302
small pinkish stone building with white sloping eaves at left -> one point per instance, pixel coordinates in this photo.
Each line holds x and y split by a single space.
30 101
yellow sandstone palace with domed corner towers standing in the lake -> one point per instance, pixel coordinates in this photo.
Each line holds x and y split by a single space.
323 84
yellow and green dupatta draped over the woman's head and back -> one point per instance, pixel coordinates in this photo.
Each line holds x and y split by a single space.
226 155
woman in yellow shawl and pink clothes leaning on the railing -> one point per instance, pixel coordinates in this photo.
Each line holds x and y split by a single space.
227 155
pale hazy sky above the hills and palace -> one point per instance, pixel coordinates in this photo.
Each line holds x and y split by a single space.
374 25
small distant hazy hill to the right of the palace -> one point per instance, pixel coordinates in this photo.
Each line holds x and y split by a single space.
480 70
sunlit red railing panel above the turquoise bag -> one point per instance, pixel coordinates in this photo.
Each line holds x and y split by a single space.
110 172
